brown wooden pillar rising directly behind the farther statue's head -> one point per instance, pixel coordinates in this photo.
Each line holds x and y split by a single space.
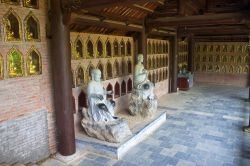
142 45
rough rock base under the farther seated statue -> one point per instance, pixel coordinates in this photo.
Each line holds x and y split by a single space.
140 106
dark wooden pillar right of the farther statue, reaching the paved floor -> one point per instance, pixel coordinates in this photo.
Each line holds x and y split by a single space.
173 64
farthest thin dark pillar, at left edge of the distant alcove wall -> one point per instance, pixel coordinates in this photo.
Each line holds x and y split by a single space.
191 53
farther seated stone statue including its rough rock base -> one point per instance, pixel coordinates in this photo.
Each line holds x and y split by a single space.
142 101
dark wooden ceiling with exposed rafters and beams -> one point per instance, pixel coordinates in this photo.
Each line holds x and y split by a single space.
198 17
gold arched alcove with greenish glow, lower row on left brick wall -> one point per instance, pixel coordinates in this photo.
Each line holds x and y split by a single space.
15 63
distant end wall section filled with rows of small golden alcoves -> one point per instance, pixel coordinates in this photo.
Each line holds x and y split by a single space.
215 57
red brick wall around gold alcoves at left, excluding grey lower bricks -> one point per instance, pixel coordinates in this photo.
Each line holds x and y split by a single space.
24 95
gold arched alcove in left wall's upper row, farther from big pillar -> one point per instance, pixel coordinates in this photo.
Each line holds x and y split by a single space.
12 26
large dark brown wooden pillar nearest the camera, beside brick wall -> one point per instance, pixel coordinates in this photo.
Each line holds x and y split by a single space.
60 52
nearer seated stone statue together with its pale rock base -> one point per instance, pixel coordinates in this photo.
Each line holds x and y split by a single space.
99 120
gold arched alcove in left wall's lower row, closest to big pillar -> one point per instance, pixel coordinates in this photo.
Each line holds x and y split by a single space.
34 65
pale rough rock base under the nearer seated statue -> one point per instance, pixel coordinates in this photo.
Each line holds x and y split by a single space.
113 131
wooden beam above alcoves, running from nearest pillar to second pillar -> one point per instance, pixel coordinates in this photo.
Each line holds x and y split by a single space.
95 21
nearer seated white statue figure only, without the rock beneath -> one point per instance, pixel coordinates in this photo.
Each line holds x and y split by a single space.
100 109
